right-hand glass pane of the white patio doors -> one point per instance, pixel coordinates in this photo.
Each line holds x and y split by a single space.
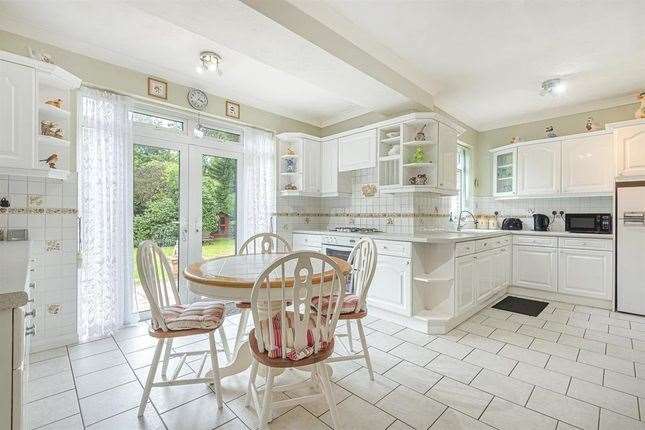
219 206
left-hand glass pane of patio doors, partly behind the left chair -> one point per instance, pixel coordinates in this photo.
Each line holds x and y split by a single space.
156 207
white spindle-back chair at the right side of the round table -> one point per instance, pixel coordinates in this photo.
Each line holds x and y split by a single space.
363 261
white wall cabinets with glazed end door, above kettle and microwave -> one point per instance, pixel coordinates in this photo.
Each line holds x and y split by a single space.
580 164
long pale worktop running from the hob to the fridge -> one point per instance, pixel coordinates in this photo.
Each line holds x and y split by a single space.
444 236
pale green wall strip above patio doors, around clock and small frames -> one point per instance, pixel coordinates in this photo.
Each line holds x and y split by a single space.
132 82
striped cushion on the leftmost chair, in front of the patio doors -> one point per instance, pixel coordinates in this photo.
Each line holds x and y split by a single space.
198 315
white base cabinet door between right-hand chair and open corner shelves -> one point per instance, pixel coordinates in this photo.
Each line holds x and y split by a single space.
391 285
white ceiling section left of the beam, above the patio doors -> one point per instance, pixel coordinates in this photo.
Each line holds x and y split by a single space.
264 65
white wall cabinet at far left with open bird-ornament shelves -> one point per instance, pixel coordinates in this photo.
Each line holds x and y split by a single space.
34 117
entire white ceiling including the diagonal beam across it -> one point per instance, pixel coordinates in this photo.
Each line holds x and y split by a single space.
483 61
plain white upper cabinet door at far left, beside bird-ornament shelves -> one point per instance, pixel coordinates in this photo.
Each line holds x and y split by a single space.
17 115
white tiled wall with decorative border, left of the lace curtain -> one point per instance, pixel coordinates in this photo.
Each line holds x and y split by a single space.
48 209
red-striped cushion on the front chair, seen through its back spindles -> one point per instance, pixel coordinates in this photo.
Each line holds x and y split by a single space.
292 352
